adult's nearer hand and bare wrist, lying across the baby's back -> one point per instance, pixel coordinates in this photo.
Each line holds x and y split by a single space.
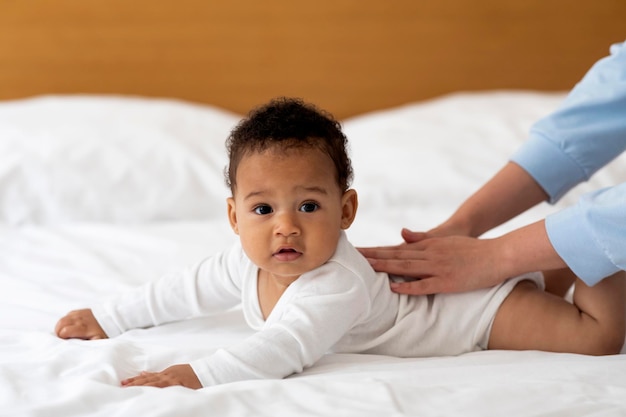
462 263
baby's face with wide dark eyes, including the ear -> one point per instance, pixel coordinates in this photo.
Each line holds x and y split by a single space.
288 210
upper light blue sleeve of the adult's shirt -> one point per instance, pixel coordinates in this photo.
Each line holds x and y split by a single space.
585 133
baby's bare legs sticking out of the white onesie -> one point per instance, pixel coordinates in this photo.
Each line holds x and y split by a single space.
595 324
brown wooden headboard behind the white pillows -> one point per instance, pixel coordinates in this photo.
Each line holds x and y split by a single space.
348 56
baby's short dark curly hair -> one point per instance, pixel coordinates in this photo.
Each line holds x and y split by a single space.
288 123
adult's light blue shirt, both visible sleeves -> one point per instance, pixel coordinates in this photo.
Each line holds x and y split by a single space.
585 133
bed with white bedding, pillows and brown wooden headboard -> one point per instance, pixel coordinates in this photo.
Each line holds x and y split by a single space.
112 125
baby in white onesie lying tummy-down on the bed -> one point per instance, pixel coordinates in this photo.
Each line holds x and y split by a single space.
308 291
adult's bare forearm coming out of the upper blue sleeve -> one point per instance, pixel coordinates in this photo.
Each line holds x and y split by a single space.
510 192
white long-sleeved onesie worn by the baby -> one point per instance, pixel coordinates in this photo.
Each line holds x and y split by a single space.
342 306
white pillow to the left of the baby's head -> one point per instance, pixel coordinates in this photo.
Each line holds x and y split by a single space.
111 159
